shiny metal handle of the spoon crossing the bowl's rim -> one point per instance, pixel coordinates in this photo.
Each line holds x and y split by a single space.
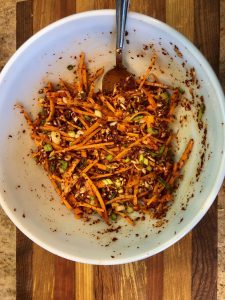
121 18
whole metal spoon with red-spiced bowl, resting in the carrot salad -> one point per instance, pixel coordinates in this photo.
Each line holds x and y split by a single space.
119 74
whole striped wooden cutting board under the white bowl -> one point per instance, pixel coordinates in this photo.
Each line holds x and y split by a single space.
187 270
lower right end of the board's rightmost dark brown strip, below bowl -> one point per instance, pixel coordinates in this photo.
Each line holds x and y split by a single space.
204 258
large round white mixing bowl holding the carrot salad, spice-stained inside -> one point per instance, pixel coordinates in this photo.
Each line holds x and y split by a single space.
25 191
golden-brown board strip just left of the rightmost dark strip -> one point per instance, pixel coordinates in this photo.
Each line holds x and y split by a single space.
177 259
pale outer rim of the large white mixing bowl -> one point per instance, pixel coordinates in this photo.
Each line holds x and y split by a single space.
219 177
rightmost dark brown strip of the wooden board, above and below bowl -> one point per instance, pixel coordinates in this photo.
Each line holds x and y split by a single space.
204 240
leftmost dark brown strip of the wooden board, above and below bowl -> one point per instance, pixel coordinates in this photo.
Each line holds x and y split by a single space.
24 250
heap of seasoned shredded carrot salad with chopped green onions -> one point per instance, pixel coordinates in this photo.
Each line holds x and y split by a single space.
109 153
